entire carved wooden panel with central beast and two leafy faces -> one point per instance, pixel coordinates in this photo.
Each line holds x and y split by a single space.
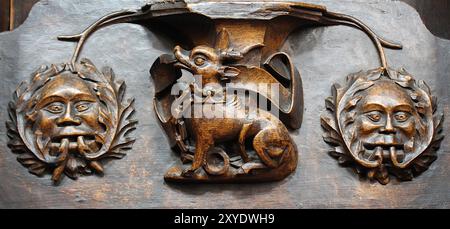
380 122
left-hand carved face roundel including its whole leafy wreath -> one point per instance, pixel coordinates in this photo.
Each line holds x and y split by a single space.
68 118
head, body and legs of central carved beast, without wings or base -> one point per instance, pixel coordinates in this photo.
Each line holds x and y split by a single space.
271 140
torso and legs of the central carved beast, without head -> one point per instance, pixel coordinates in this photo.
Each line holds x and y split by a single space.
271 140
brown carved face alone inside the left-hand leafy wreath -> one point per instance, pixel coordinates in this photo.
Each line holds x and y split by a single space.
71 113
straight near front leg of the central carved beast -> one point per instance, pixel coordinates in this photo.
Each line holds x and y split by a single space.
202 146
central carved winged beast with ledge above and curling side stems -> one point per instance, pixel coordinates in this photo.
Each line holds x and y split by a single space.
218 51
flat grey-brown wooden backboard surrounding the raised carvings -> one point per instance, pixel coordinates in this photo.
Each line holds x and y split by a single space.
322 55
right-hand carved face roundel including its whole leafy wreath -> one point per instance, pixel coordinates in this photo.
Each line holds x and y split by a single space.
385 122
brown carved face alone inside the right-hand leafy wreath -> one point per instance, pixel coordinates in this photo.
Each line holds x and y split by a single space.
388 126
